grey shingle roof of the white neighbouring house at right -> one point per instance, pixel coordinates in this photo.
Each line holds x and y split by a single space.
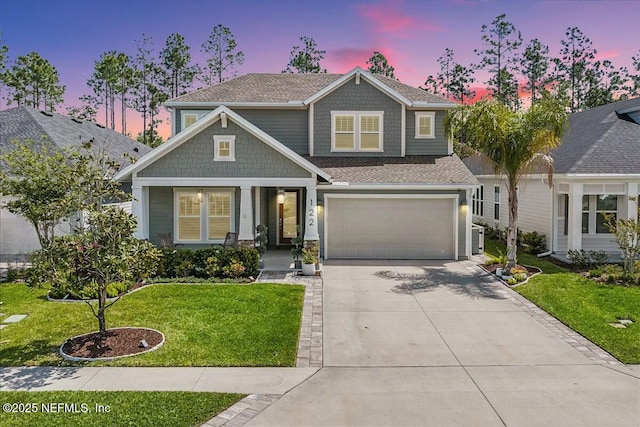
601 140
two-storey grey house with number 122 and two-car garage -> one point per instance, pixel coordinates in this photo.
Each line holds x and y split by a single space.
360 162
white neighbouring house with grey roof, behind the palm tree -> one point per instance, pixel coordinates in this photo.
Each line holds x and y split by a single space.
597 169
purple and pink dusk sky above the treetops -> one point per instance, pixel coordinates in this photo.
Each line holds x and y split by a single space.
412 34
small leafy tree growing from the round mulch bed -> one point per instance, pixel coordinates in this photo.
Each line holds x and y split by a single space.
102 251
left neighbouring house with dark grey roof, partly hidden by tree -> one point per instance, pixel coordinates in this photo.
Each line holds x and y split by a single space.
17 237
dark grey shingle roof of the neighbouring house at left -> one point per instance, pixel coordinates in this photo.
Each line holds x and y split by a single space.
22 123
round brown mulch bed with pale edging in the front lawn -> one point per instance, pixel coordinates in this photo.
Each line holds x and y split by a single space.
118 342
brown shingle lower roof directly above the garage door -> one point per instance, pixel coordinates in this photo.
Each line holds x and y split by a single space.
436 170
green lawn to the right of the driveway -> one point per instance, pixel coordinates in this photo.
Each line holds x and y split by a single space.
584 305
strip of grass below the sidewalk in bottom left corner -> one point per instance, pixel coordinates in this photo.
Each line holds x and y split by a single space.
112 408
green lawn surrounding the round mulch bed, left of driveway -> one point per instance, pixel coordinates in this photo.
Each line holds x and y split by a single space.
203 324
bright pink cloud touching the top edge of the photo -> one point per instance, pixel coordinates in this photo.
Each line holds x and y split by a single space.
387 18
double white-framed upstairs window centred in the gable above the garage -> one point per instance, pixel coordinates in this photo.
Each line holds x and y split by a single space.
356 131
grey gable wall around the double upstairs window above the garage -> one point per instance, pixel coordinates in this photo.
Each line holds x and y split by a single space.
362 97
